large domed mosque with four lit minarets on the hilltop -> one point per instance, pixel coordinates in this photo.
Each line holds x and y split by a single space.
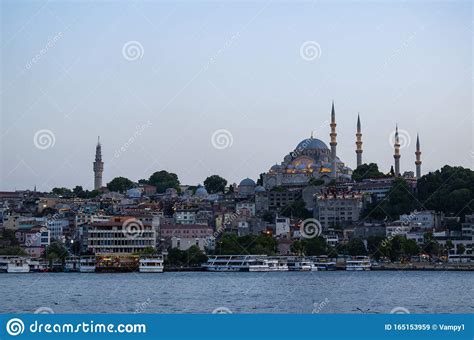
312 159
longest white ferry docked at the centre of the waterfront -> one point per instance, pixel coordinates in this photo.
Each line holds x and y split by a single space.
237 263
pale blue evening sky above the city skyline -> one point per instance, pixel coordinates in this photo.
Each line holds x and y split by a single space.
228 88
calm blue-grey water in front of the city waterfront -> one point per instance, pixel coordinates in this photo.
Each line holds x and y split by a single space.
201 292
